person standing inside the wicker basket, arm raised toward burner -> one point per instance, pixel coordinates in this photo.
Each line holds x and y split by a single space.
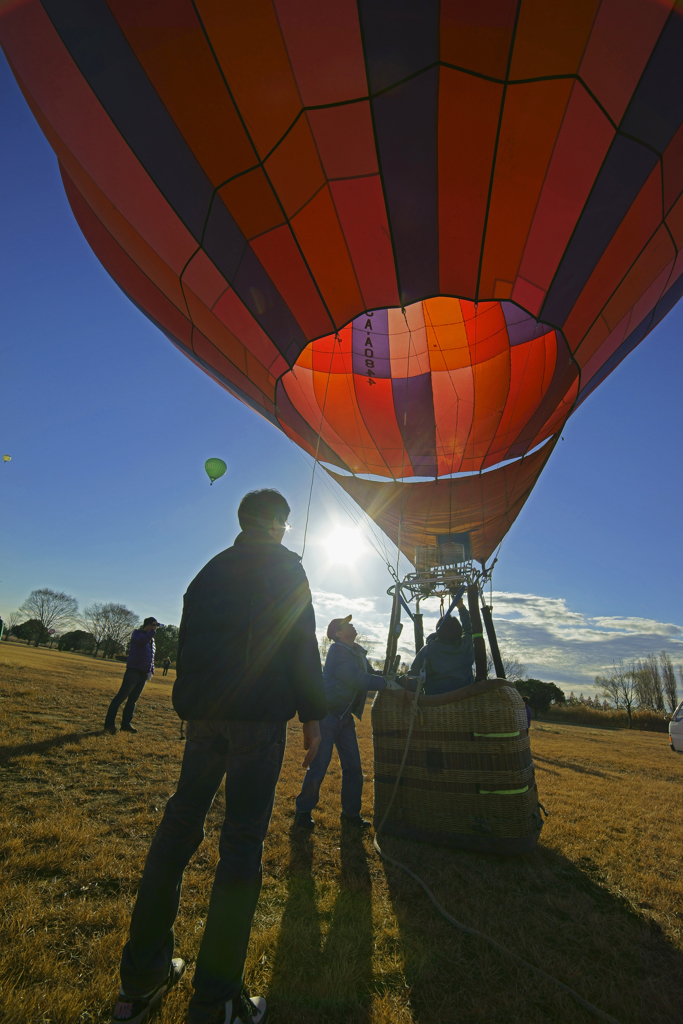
447 658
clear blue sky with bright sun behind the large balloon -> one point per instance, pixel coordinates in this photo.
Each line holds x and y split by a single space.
109 428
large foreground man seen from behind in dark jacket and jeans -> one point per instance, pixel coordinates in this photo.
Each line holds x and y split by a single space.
248 662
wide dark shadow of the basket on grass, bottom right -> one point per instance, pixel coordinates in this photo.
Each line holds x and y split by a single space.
547 910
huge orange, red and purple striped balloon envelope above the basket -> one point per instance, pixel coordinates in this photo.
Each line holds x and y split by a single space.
413 236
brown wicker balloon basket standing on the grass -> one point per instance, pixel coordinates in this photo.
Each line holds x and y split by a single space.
468 780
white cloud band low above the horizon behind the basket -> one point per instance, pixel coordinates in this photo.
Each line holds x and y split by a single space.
552 641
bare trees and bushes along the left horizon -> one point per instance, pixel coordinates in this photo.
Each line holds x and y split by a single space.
102 630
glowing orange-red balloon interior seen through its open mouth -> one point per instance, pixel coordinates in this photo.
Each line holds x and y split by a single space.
476 389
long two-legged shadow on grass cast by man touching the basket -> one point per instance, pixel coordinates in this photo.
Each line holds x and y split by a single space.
323 963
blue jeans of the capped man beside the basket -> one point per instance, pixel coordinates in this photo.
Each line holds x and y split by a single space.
339 733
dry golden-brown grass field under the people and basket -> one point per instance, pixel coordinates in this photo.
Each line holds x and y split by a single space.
339 936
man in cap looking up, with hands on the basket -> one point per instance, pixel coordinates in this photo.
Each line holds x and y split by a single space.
348 678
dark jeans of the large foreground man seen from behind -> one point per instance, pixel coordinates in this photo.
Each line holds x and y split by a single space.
250 756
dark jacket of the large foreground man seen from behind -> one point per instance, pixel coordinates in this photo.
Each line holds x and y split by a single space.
247 648
